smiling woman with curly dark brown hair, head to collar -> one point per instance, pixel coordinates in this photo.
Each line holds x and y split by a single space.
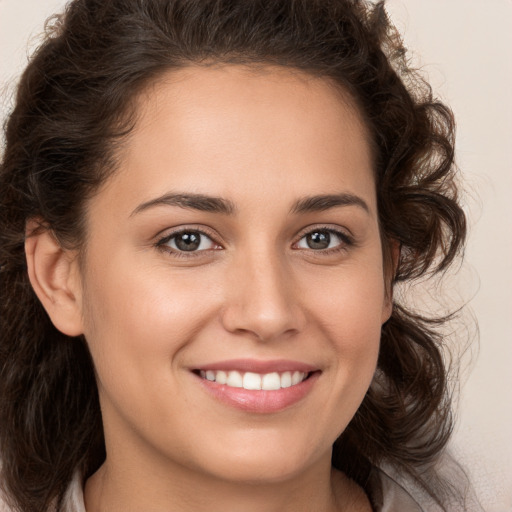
205 207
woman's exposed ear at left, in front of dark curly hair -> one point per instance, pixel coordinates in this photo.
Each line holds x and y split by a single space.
55 278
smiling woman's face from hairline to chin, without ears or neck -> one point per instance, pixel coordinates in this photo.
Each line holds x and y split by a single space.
237 247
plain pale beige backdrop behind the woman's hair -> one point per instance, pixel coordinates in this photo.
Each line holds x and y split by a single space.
465 47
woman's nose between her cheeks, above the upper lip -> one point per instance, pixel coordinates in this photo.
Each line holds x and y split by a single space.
261 298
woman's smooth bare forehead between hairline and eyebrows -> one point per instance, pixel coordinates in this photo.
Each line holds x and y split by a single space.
202 127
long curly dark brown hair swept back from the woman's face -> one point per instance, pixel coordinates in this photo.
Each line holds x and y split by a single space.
76 102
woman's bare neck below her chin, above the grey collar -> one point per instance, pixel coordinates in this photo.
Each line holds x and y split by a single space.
129 489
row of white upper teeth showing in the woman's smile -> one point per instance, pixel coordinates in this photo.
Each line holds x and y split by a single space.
254 381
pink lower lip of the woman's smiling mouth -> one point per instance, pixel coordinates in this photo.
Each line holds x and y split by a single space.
263 402
